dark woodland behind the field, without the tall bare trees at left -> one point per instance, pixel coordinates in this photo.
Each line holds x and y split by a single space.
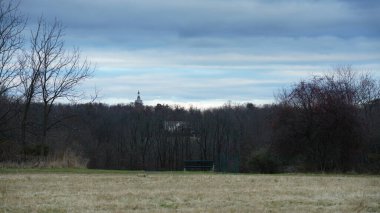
324 124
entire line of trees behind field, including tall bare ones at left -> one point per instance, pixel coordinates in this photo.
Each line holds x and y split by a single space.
328 123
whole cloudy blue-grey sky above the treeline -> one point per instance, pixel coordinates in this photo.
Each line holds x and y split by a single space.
205 53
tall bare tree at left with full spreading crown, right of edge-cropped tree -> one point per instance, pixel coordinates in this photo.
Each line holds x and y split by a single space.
58 71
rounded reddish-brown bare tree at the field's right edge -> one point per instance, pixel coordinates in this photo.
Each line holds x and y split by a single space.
320 119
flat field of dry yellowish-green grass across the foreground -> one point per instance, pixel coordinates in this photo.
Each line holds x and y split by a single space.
82 190
